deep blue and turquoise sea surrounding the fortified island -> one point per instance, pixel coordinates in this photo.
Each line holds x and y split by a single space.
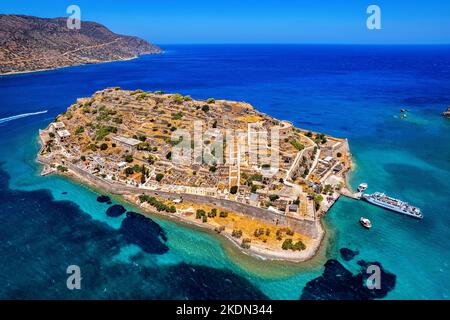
49 223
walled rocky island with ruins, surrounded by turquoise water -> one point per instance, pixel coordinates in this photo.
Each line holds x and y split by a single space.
221 165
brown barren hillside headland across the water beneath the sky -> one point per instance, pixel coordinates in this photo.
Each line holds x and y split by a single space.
30 44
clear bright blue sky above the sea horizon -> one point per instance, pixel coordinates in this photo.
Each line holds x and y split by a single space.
257 21
